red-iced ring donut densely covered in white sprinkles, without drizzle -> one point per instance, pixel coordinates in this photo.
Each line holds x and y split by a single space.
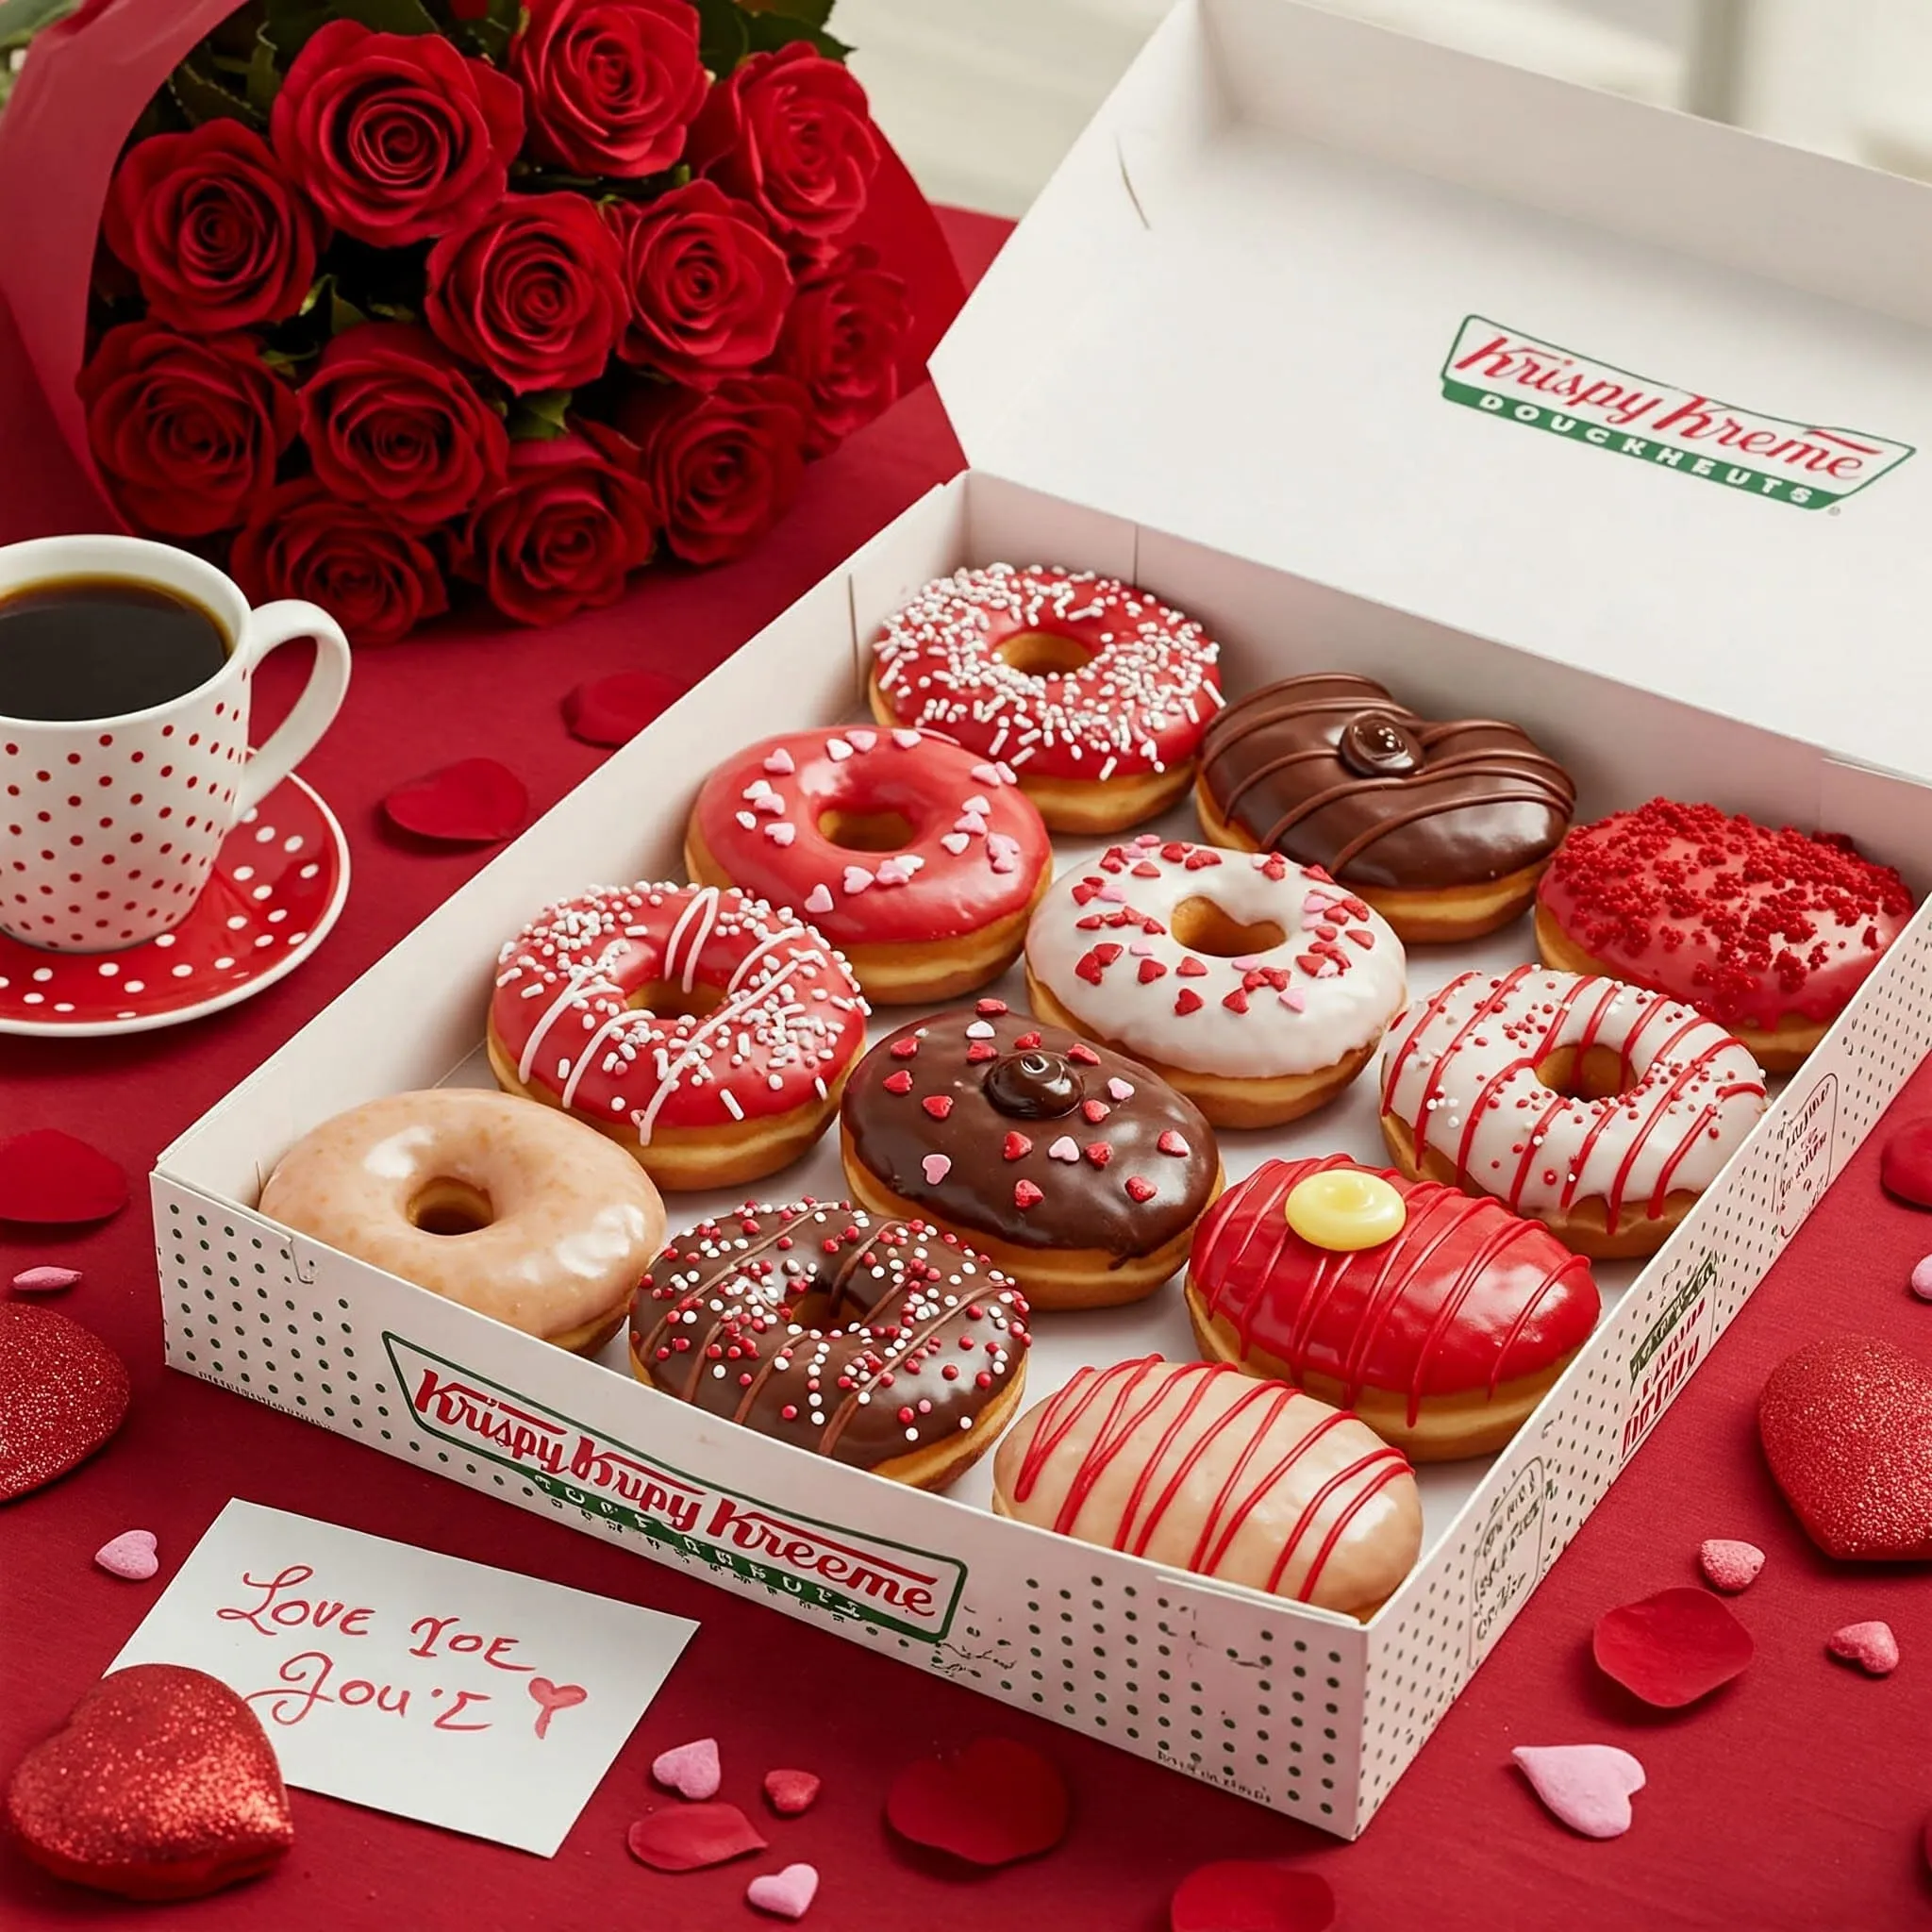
1089 689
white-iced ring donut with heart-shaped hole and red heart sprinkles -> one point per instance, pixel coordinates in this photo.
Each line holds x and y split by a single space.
1255 986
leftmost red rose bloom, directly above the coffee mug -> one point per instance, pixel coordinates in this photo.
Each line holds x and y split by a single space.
185 430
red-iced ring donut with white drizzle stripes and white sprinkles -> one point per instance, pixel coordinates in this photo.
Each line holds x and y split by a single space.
702 1029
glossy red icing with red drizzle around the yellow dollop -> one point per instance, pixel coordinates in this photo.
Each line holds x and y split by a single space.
1463 1299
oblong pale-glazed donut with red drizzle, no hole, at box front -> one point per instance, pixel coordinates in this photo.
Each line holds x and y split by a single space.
1207 1469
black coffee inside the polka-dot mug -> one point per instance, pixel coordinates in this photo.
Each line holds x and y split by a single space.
98 648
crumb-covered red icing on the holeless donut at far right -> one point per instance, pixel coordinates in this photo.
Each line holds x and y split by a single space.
1744 923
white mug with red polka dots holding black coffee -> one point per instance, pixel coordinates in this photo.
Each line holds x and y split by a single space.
109 828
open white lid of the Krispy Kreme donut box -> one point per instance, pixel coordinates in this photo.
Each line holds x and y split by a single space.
1608 384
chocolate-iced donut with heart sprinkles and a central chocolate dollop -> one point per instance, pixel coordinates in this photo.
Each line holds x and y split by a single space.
1077 1170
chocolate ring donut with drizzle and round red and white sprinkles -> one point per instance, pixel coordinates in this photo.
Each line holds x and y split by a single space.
870 1342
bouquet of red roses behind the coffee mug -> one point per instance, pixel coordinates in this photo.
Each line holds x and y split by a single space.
401 297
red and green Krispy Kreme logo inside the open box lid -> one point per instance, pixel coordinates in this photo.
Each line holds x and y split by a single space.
1541 385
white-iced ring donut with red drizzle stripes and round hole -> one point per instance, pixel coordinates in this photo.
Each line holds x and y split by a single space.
1585 1104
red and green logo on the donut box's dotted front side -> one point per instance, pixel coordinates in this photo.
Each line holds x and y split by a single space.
839 1572
